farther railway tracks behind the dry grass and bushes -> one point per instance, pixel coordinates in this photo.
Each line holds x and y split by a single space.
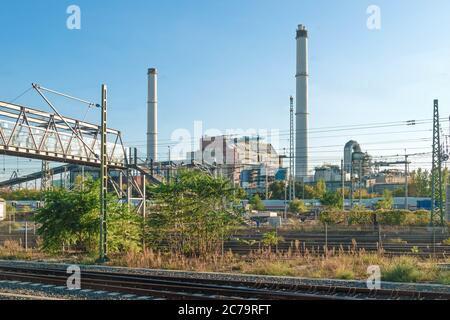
413 243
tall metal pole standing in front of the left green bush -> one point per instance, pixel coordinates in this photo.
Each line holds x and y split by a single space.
103 177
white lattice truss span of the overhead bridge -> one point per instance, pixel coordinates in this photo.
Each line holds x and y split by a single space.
36 134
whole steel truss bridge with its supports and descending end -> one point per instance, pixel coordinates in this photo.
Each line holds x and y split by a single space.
34 134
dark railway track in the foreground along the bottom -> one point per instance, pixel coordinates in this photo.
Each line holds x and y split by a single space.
167 287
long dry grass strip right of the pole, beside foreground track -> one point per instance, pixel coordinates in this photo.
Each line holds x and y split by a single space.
339 264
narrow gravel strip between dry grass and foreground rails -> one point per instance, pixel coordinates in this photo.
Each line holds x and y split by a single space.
422 287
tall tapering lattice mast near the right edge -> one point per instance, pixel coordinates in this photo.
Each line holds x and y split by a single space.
436 171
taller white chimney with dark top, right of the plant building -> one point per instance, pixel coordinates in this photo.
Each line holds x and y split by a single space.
301 115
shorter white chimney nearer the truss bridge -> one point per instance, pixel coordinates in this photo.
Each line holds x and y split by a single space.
152 116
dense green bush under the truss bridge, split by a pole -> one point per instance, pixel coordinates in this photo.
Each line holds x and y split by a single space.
70 220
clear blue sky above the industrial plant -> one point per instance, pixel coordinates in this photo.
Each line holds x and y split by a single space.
231 64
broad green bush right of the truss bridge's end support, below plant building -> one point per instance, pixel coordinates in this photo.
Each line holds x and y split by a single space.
197 209
